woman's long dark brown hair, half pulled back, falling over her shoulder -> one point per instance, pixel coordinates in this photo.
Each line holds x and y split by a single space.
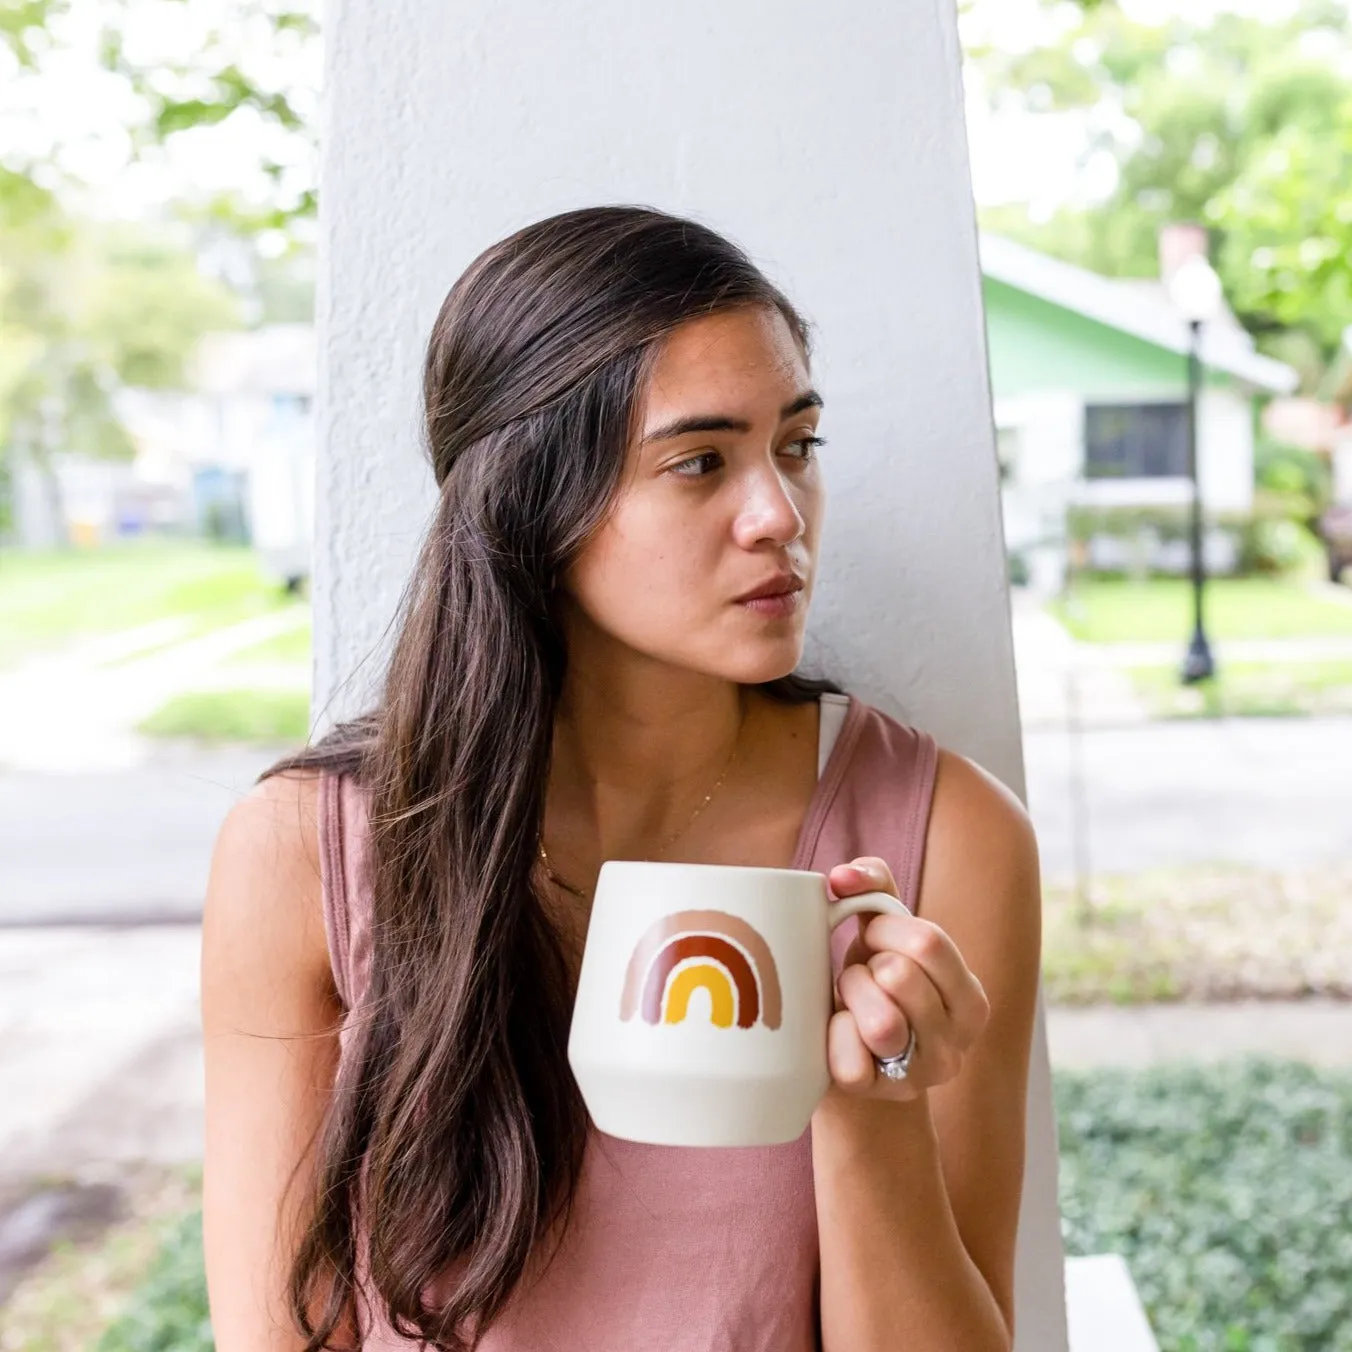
455 1134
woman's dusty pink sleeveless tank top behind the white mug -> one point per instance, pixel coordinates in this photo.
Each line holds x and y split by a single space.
682 1250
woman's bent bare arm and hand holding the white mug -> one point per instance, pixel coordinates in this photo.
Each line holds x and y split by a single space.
919 1185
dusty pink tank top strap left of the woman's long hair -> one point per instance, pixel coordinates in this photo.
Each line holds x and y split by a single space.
344 859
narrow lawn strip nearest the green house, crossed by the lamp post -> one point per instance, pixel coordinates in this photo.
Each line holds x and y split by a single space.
1161 610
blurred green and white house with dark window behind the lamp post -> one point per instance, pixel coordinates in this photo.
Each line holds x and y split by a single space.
1089 377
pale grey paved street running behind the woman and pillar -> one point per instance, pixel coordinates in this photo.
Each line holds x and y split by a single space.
1272 793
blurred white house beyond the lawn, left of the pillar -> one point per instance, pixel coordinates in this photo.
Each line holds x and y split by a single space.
231 458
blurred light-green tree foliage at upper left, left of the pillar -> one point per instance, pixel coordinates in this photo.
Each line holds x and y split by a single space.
90 308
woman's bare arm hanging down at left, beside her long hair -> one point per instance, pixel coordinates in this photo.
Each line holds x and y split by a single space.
270 1021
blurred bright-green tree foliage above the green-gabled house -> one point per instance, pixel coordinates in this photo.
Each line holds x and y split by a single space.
1234 122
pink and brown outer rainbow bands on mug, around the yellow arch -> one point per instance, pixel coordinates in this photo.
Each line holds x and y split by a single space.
727 940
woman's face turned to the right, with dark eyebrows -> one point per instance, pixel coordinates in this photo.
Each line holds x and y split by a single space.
721 496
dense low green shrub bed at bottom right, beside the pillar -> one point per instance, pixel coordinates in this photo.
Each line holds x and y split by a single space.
1228 1190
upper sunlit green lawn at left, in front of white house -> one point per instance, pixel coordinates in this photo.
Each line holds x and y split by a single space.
56 597
